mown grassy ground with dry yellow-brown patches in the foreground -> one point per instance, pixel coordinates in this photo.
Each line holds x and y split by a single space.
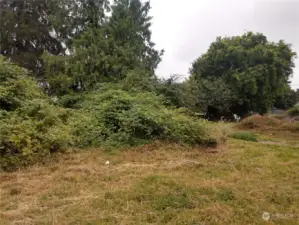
159 184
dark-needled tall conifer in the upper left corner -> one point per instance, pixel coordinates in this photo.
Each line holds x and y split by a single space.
27 30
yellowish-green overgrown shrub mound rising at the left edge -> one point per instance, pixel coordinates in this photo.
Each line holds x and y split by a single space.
31 126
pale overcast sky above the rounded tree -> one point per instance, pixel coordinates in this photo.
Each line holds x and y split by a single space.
185 29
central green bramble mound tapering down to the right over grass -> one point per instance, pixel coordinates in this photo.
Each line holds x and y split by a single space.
120 118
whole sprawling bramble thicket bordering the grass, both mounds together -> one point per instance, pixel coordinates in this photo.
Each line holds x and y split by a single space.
33 126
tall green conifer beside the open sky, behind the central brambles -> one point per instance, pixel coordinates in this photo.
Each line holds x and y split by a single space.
108 50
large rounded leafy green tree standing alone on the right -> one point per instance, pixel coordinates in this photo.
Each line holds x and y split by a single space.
254 70
